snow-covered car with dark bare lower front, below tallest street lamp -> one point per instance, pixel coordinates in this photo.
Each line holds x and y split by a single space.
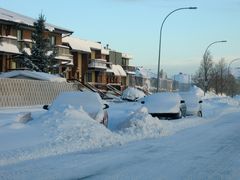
165 105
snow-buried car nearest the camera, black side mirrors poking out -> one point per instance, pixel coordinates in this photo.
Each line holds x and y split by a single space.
91 103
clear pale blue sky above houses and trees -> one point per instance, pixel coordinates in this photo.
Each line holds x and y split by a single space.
132 26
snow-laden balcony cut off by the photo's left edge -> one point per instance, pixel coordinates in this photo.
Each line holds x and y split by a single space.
9 45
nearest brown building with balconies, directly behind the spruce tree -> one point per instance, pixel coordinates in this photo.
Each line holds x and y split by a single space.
16 36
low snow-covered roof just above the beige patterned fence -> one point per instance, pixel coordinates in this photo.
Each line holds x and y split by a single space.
32 75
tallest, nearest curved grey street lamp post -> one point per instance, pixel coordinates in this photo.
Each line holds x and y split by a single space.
160 39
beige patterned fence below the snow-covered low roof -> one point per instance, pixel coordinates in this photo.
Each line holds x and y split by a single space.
23 92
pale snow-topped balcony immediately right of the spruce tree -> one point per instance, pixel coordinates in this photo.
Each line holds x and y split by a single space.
63 54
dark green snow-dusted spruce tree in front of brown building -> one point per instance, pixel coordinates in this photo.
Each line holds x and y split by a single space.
40 55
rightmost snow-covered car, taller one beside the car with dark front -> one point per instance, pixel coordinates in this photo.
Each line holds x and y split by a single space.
193 100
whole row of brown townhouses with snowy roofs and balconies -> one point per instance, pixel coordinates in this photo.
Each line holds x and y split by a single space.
82 60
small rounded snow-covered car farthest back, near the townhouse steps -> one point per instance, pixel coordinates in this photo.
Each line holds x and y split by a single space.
132 94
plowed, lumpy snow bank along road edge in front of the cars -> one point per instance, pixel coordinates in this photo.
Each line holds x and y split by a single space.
72 130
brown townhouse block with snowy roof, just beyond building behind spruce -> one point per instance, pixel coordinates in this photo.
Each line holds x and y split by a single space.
99 65
